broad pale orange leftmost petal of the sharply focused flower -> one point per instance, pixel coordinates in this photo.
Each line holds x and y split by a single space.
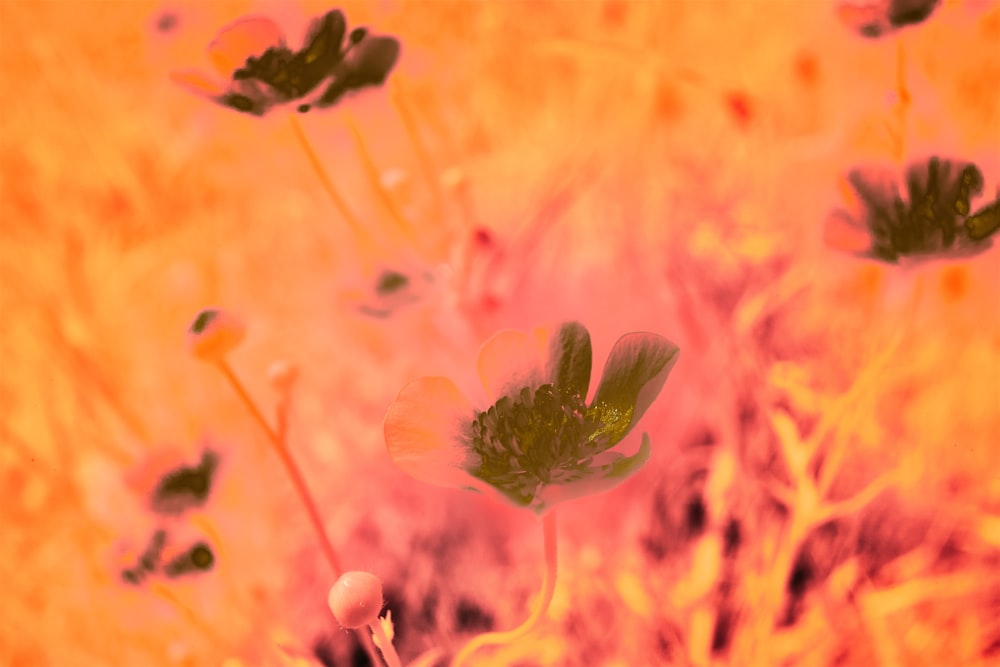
424 432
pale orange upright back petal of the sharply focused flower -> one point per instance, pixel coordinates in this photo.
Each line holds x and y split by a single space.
511 360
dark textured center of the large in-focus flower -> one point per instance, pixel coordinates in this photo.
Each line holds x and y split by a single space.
536 437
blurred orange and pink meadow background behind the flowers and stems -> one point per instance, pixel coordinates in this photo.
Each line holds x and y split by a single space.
823 488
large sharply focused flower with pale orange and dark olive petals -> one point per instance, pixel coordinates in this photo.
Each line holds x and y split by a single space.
539 443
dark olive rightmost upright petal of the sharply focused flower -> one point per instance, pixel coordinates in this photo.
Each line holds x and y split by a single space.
636 370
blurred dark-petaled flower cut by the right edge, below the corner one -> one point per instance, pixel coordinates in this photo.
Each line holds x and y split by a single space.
934 222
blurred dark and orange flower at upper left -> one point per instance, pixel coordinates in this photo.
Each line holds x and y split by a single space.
262 72
